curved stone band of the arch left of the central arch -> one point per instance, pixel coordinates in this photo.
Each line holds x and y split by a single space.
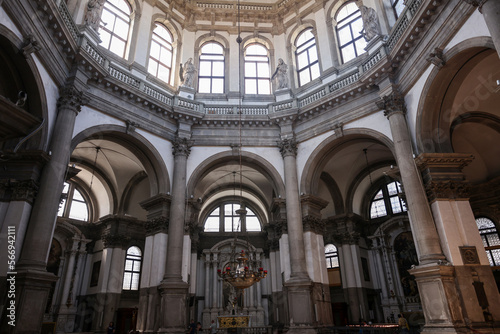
159 181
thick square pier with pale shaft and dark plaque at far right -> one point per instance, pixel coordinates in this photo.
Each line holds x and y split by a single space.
473 299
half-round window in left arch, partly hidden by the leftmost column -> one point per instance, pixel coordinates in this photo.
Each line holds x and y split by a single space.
73 204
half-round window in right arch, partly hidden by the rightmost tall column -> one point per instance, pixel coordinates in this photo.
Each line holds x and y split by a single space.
387 201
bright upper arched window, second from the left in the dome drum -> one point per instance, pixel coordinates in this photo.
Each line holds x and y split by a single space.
161 53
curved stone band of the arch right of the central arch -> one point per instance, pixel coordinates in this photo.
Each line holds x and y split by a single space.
319 157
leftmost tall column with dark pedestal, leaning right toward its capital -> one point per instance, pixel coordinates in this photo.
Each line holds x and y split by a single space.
32 280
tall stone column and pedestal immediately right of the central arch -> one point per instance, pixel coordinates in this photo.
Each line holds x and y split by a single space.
298 287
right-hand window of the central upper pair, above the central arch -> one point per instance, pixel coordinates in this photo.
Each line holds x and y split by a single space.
257 70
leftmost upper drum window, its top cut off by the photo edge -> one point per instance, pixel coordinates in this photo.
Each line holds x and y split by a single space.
117 13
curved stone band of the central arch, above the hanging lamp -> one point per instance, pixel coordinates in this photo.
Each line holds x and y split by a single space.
247 158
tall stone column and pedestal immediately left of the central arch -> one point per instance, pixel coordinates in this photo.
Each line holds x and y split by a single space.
173 289
